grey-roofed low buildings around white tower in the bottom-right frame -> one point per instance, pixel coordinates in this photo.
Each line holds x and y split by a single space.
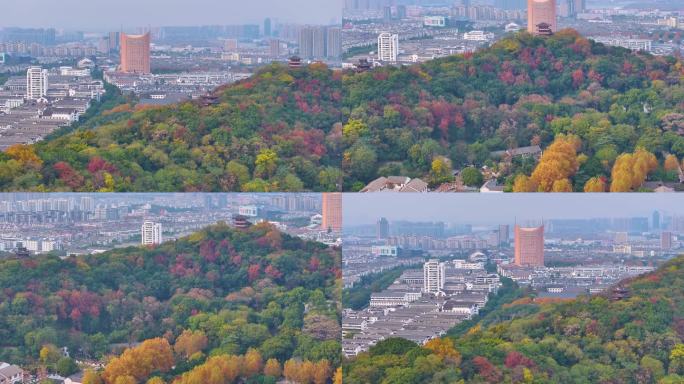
421 304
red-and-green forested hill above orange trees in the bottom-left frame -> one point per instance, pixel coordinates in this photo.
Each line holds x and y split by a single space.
220 292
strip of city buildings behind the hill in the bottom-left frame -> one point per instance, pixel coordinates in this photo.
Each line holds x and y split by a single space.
72 224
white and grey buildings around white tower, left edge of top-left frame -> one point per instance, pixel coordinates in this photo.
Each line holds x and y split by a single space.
42 100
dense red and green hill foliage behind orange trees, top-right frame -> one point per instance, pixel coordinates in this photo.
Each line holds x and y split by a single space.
522 91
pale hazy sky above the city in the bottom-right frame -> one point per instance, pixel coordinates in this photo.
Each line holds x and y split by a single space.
489 209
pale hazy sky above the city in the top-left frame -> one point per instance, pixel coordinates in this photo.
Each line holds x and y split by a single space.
107 14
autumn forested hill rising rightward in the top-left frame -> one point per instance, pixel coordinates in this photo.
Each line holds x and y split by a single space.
277 131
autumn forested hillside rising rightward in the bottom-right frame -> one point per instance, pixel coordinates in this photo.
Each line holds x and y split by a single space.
634 334
